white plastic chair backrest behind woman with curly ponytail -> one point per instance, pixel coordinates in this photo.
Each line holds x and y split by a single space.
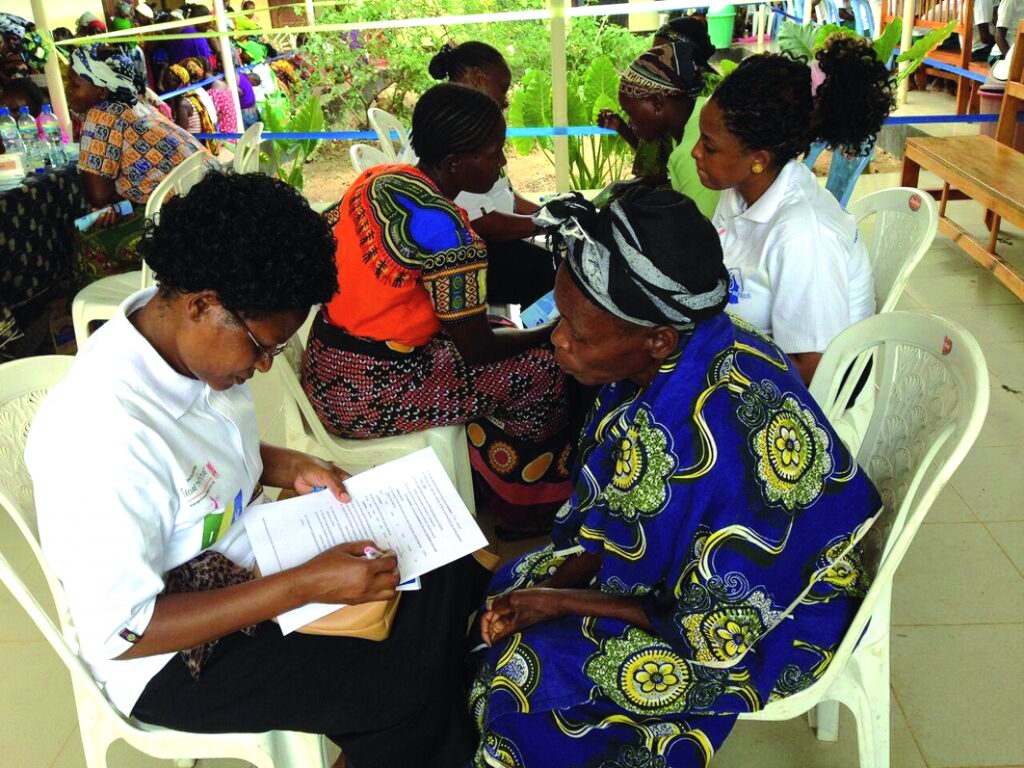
899 227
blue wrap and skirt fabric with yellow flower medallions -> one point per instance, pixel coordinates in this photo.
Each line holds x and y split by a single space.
722 500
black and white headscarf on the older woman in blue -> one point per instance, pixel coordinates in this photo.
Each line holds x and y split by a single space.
650 258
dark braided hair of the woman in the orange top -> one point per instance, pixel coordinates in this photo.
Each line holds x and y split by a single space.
453 119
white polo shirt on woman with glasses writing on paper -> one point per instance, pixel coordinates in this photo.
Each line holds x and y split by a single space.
138 470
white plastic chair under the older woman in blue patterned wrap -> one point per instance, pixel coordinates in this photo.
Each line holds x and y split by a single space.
931 402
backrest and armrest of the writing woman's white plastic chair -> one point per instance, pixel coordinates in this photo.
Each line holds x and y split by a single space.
24 386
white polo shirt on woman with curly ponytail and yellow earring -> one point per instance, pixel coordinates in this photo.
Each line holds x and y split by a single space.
798 271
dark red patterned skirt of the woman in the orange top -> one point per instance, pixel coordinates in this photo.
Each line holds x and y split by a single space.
516 411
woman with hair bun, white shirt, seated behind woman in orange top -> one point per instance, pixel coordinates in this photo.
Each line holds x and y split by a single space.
519 272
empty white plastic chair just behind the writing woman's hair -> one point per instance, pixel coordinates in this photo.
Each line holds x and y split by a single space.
100 301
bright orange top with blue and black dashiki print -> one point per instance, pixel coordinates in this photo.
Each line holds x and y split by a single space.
408 260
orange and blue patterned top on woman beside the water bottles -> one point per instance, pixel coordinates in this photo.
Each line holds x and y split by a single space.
136 147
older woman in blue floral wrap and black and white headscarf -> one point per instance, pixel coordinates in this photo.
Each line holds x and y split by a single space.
711 559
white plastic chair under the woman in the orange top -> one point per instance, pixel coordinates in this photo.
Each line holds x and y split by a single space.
305 432
